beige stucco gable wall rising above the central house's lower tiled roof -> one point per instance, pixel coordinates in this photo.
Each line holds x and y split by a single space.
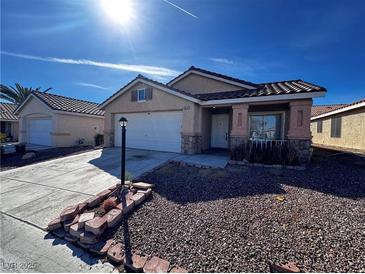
194 84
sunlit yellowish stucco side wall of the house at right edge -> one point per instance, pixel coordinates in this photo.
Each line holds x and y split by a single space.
352 131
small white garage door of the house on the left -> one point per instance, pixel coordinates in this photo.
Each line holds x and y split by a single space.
39 132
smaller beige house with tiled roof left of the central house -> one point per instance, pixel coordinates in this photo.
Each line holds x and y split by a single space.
58 121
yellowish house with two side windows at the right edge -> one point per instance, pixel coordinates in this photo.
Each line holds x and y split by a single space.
339 126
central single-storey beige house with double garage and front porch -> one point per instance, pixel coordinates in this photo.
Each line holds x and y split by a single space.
200 110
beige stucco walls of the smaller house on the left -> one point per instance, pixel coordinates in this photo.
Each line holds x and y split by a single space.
67 129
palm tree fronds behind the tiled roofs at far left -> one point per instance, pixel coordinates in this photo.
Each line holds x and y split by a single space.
17 94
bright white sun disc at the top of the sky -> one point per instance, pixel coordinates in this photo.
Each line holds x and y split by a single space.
119 11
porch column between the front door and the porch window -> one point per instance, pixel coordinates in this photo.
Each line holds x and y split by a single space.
239 132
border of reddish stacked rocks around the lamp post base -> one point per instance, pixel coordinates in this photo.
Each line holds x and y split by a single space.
86 229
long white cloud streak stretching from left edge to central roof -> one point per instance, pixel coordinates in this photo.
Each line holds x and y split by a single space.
151 70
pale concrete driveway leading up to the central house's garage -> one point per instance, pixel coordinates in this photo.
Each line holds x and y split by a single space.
37 193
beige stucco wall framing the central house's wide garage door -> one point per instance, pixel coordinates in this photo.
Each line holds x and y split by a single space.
161 101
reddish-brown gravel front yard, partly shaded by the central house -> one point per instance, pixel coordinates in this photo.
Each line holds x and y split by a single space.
229 220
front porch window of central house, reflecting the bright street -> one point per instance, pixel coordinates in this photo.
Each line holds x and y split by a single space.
265 127
